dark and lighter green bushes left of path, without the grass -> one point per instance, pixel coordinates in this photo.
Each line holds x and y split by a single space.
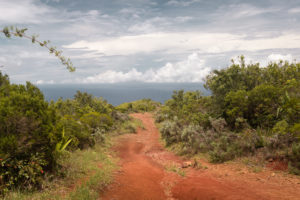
34 133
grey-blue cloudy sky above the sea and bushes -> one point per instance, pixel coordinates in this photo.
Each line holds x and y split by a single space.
112 41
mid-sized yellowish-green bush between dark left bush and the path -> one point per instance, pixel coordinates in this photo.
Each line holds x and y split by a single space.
86 118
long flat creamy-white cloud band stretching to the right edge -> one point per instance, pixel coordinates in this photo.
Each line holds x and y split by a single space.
185 41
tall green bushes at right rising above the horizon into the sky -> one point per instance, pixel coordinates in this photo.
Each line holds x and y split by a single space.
262 96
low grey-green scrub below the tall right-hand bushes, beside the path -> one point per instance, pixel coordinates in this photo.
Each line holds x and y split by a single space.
221 144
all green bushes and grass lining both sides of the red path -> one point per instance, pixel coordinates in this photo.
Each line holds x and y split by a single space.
253 110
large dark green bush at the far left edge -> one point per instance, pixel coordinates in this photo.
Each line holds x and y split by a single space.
28 135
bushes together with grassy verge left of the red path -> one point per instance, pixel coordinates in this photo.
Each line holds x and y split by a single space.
43 143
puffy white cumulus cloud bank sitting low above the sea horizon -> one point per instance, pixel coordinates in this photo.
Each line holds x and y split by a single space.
190 70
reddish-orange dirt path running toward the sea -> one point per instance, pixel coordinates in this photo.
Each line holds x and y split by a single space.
146 174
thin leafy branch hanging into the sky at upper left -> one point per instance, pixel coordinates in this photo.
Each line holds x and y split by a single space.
14 31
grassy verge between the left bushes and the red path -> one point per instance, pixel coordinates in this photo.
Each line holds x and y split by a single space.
85 174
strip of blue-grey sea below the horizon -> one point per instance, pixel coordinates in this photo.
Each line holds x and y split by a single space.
119 93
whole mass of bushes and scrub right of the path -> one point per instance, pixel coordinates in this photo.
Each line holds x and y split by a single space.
253 110
